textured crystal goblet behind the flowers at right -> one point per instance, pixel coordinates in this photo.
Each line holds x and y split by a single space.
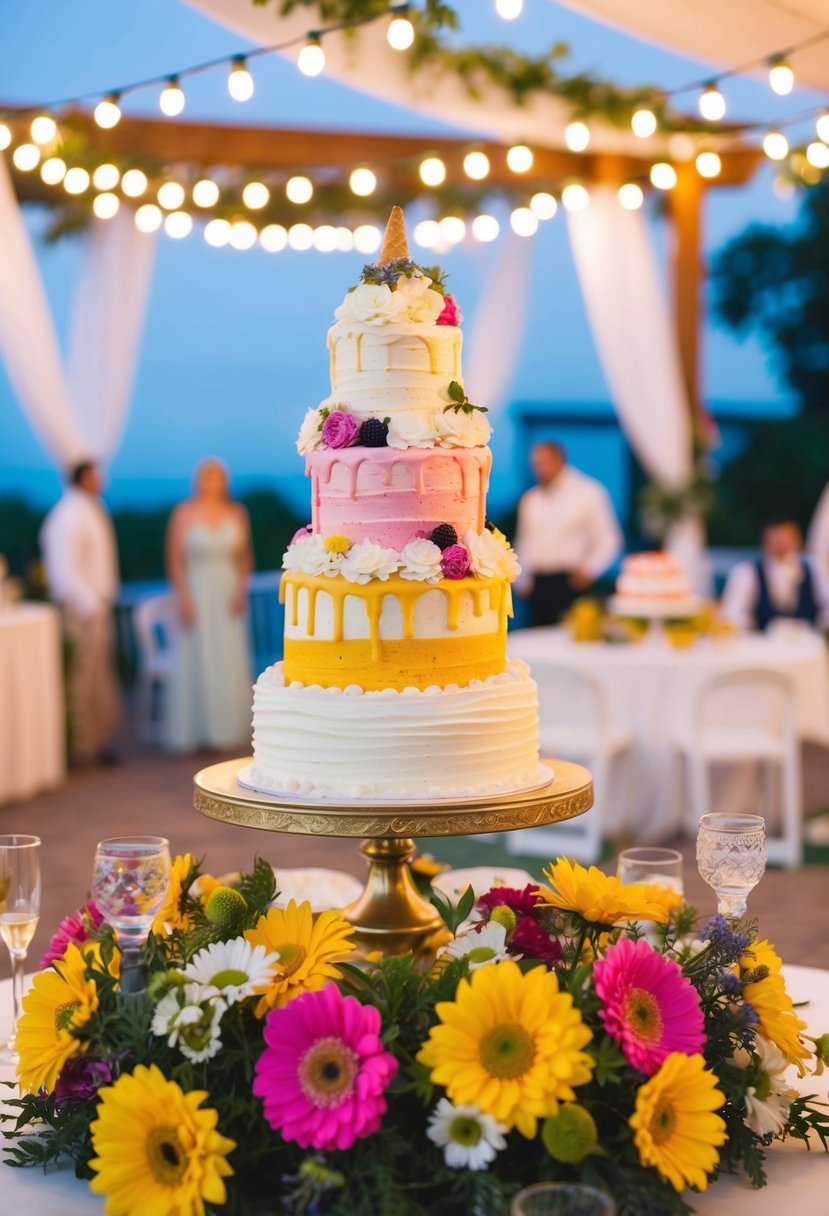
731 857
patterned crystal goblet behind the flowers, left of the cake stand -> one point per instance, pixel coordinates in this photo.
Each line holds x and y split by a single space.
129 885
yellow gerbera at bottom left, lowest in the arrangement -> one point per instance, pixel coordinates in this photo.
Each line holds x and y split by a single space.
157 1153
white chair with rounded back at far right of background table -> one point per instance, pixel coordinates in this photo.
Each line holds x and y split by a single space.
749 718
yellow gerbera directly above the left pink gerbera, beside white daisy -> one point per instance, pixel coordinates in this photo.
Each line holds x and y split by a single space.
307 945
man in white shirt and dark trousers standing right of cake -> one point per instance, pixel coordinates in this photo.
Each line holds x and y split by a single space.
567 536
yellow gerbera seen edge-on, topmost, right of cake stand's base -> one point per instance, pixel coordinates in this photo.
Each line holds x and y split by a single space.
597 897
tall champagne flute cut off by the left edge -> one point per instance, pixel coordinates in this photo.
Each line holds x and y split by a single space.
20 913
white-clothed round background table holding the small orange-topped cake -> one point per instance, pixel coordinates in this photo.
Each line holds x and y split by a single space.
651 693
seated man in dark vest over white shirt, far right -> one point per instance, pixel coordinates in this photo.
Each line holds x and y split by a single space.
781 584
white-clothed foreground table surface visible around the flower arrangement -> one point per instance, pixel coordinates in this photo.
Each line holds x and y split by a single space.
798 1179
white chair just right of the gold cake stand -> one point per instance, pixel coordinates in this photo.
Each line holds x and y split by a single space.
577 725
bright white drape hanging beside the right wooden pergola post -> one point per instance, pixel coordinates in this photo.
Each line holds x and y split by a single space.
631 326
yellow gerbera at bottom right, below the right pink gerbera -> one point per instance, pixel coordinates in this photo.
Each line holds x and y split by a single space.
675 1128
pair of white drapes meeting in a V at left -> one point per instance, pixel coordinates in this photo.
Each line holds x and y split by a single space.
80 410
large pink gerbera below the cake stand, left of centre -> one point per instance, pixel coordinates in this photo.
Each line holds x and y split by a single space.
324 1074
